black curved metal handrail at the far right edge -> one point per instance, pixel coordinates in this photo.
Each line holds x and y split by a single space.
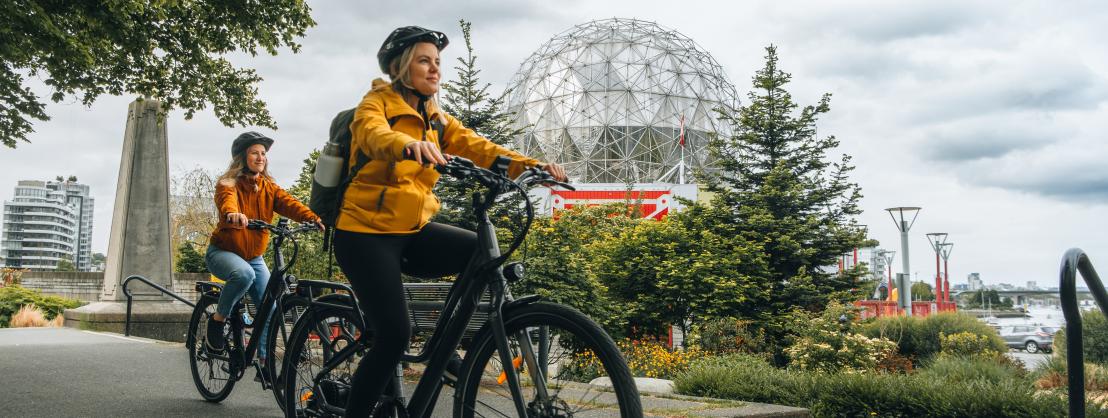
1073 262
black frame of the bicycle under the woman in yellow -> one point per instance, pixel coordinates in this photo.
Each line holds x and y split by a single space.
464 301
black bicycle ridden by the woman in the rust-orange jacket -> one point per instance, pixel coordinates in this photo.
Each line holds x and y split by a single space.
216 373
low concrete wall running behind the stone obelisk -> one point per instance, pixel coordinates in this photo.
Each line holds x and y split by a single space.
88 287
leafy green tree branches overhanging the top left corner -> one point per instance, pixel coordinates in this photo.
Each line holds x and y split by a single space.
172 52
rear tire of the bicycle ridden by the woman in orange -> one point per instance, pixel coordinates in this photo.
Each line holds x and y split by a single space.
206 369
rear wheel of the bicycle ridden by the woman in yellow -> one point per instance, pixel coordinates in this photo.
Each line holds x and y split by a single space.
319 335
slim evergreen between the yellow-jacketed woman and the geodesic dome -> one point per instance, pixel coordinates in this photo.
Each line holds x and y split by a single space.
469 100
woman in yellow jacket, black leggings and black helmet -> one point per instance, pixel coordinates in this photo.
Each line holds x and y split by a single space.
385 226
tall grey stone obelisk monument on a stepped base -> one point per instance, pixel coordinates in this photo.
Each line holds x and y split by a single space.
140 239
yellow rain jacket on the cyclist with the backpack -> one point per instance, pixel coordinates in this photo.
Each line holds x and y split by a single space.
389 195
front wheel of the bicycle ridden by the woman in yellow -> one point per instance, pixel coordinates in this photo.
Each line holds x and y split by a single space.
556 353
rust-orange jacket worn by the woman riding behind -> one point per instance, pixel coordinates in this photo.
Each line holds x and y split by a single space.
258 200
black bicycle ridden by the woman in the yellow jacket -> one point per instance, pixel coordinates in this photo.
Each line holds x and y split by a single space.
525 361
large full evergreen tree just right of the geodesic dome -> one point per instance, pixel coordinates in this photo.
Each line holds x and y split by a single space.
777 188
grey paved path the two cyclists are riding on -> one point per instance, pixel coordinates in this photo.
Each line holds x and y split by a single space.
71 373
